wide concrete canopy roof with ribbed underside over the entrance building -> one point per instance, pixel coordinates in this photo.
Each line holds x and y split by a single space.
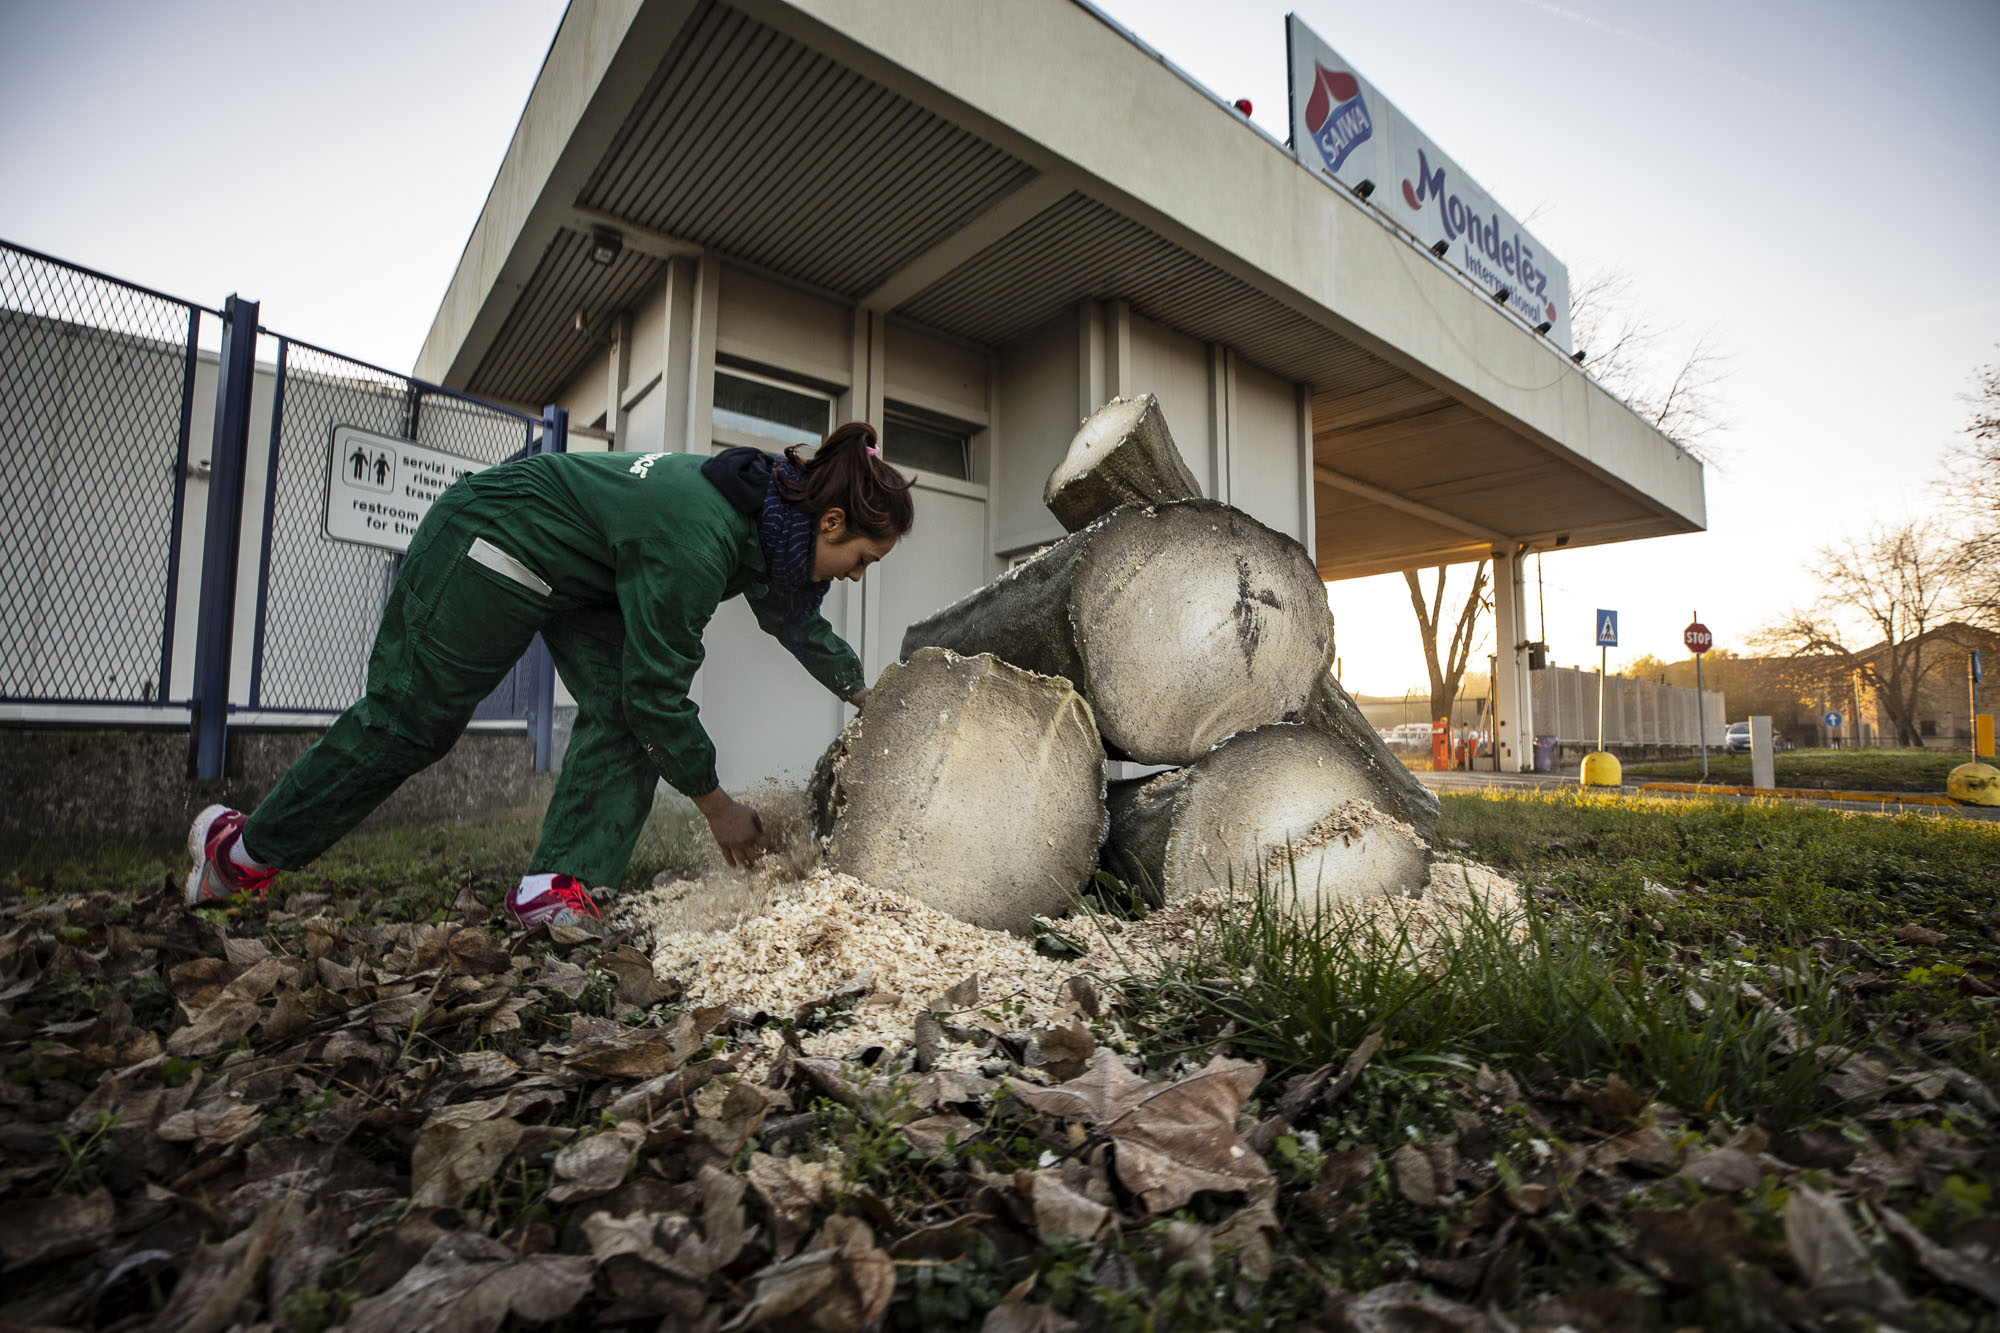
983 167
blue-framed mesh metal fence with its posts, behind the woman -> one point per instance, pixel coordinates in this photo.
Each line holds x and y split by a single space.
171 565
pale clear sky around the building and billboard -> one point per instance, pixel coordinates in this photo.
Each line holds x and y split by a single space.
1813 181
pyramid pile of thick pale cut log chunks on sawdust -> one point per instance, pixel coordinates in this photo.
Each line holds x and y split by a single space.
1165 629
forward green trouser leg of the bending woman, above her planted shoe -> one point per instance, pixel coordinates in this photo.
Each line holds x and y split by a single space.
607 784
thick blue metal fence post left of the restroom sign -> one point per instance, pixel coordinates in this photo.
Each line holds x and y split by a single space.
227 469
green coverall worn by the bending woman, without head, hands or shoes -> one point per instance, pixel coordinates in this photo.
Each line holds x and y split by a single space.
617 561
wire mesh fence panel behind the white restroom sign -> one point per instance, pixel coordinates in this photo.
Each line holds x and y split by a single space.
321 599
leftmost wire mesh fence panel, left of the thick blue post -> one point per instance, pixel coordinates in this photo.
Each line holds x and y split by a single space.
97 403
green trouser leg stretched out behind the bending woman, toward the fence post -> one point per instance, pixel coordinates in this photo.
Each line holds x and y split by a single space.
451 631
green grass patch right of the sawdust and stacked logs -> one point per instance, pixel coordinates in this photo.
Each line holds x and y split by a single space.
1677 946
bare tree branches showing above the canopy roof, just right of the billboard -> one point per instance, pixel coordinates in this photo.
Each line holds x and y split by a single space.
1629 353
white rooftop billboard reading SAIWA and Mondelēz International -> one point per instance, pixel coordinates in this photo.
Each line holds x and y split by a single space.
1343 129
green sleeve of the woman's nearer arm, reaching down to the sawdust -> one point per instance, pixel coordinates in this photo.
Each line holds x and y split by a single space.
667 595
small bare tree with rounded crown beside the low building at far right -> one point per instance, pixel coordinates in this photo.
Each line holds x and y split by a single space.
1881 595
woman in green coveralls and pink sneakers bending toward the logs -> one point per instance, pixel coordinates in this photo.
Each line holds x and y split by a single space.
617 561
